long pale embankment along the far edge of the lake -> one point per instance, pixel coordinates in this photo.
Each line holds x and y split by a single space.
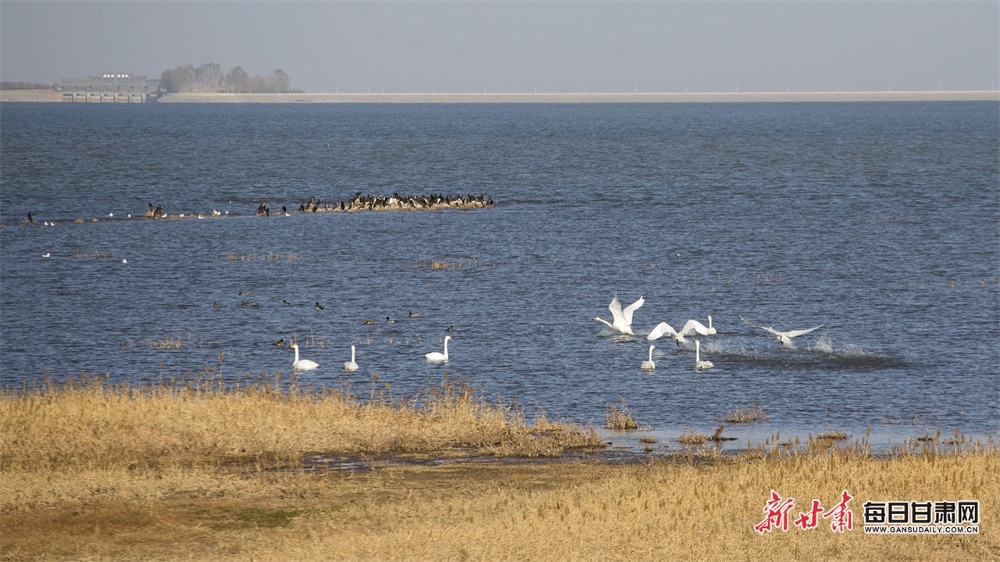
595 97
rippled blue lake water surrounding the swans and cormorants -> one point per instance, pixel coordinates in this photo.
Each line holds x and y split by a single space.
880 221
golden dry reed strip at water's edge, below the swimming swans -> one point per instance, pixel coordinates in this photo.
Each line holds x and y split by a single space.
87 423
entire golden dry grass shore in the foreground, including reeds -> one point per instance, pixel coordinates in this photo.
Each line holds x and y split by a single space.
206 471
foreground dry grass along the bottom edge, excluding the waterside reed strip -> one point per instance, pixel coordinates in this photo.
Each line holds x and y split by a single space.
676 507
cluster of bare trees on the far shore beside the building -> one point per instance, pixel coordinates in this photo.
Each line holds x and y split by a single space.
210 77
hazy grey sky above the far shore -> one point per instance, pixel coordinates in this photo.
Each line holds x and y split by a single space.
507 46
